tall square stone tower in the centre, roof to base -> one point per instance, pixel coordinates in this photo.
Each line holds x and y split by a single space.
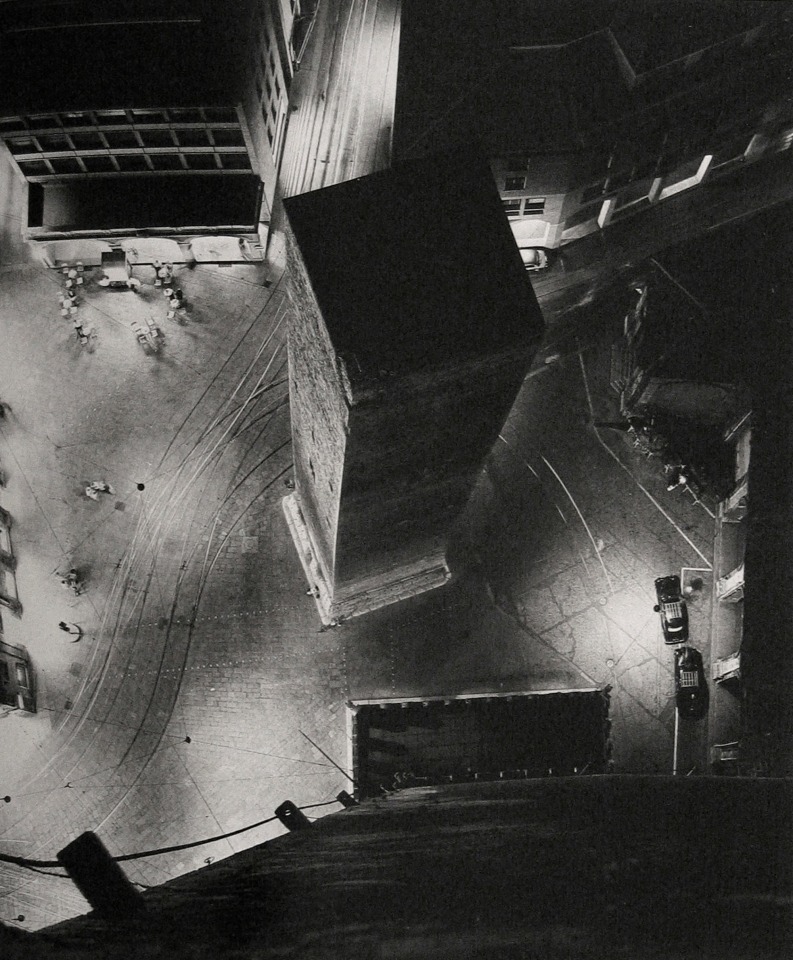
415 327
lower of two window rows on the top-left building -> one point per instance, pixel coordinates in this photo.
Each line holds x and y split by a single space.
133 163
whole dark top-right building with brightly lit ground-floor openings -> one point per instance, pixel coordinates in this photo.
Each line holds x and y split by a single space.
608 112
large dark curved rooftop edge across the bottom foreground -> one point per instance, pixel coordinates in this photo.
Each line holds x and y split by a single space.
570 867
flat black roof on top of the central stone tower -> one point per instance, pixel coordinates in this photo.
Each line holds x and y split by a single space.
416 267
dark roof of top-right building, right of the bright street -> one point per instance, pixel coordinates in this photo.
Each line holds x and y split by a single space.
543 75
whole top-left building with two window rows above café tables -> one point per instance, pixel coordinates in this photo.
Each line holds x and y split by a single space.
120 136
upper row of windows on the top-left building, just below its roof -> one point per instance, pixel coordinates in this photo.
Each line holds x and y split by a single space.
126 138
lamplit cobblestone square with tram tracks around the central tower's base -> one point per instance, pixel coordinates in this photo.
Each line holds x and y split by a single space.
181 714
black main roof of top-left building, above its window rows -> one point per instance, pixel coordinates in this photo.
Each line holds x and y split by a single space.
93 54
